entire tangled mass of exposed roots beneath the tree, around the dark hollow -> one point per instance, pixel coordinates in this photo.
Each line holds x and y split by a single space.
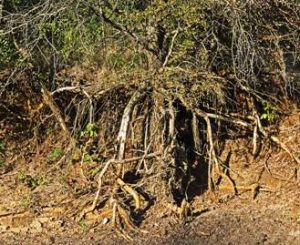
160 149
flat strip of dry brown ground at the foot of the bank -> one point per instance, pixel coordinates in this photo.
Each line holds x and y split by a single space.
270 219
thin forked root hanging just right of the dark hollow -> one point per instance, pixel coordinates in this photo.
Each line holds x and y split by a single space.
214 161
